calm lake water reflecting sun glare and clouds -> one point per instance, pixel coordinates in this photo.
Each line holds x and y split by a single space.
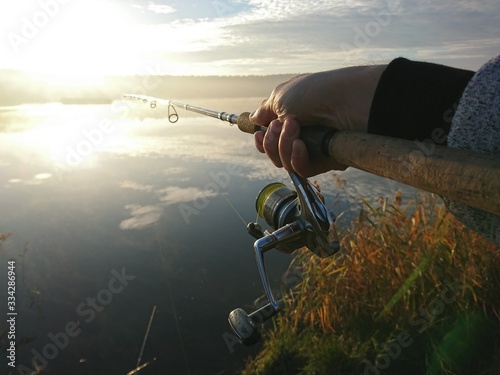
113 210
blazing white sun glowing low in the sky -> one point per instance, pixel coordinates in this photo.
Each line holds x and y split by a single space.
84 39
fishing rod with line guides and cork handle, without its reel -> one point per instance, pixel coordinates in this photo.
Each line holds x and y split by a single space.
454 174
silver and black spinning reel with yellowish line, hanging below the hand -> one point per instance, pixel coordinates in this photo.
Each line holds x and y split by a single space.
299 218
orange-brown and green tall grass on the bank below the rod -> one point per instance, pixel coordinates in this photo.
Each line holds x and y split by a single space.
414 292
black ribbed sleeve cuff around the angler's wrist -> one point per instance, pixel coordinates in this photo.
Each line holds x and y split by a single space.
416 100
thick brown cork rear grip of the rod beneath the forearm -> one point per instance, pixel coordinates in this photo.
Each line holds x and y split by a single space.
454 174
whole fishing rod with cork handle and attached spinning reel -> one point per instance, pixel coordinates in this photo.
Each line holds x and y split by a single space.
300 218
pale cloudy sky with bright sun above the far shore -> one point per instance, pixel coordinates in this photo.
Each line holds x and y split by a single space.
241 37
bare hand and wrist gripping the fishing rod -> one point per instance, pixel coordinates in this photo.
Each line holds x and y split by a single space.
340 99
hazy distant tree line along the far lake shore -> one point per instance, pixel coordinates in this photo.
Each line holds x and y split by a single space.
20 87
